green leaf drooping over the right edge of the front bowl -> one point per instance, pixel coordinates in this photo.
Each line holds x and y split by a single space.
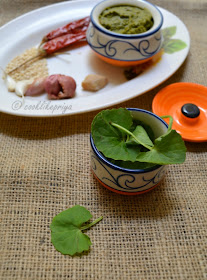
168 149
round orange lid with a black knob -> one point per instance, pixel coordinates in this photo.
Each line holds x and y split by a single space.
187 104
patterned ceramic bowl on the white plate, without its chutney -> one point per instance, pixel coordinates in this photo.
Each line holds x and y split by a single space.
125 49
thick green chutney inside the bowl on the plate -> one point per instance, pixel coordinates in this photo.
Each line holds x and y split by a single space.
126 19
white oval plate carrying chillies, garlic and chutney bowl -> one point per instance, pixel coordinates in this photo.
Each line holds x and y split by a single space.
27 31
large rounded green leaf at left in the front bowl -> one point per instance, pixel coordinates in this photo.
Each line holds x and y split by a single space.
111 141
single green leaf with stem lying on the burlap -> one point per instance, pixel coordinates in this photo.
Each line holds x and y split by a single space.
66 230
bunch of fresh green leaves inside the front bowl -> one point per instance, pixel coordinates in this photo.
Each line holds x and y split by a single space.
129 143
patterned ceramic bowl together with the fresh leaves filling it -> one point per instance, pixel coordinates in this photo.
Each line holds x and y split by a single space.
130 149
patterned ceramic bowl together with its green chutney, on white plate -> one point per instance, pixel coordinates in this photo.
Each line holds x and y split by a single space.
123 46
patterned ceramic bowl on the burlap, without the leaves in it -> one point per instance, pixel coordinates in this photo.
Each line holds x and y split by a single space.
129 181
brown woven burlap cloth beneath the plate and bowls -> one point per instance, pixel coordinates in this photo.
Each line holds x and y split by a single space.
45 169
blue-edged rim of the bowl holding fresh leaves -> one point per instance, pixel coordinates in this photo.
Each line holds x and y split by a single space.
116 167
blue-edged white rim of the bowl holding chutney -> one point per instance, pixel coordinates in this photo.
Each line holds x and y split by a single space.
127 36
